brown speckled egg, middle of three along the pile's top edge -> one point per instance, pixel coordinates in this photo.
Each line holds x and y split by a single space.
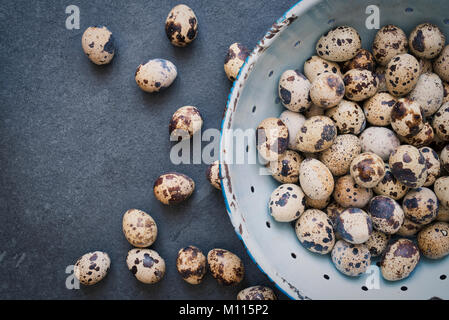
389 41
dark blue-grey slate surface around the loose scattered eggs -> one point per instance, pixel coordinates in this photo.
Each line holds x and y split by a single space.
80 144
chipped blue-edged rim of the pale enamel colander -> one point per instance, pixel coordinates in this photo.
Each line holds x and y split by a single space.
228 109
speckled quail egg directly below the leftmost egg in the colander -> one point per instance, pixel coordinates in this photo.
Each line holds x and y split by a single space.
286 168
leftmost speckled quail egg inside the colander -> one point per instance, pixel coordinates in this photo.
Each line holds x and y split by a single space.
271 138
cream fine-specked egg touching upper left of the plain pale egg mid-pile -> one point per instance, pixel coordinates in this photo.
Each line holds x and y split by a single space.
348 117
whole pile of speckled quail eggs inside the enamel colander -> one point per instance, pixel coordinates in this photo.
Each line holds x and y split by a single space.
362 150
